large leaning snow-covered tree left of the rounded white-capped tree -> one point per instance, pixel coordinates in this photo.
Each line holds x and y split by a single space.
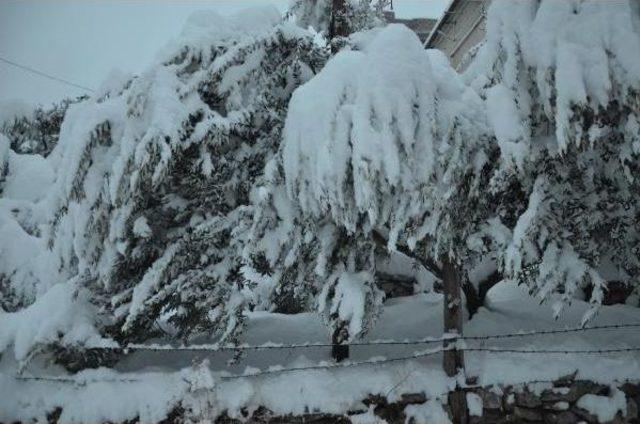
152 201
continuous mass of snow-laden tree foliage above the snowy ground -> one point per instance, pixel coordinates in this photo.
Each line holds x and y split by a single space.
244 171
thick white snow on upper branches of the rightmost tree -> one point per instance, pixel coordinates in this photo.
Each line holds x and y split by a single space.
571 53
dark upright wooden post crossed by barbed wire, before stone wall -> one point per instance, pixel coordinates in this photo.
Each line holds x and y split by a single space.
453 362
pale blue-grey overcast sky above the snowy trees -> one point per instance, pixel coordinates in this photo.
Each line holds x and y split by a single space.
83 40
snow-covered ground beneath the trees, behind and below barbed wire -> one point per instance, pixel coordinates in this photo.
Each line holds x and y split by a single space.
151 383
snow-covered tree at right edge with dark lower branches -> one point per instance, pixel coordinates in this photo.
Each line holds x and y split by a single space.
562 87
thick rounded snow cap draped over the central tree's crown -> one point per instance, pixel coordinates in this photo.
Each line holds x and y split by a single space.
369 125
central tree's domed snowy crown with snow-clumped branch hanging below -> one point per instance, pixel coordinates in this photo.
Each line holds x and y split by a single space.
375 142
